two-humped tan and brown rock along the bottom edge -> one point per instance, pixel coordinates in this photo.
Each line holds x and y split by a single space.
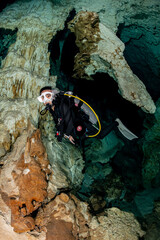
73 219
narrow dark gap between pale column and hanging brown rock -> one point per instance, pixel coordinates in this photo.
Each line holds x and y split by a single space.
62 50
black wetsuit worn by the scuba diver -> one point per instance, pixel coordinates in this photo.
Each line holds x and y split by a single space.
68 117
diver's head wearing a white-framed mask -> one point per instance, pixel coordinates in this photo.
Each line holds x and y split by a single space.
46 95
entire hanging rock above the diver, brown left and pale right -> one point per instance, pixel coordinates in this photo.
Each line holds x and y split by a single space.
104 52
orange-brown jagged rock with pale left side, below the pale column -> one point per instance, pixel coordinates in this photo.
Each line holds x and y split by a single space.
23 180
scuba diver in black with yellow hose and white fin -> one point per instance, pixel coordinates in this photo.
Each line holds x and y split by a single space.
74 118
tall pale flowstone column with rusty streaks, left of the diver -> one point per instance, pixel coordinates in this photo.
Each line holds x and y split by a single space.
26 67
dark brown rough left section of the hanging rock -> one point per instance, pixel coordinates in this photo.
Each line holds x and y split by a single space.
85 25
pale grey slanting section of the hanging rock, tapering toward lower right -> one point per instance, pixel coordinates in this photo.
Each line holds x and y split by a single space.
109 58
